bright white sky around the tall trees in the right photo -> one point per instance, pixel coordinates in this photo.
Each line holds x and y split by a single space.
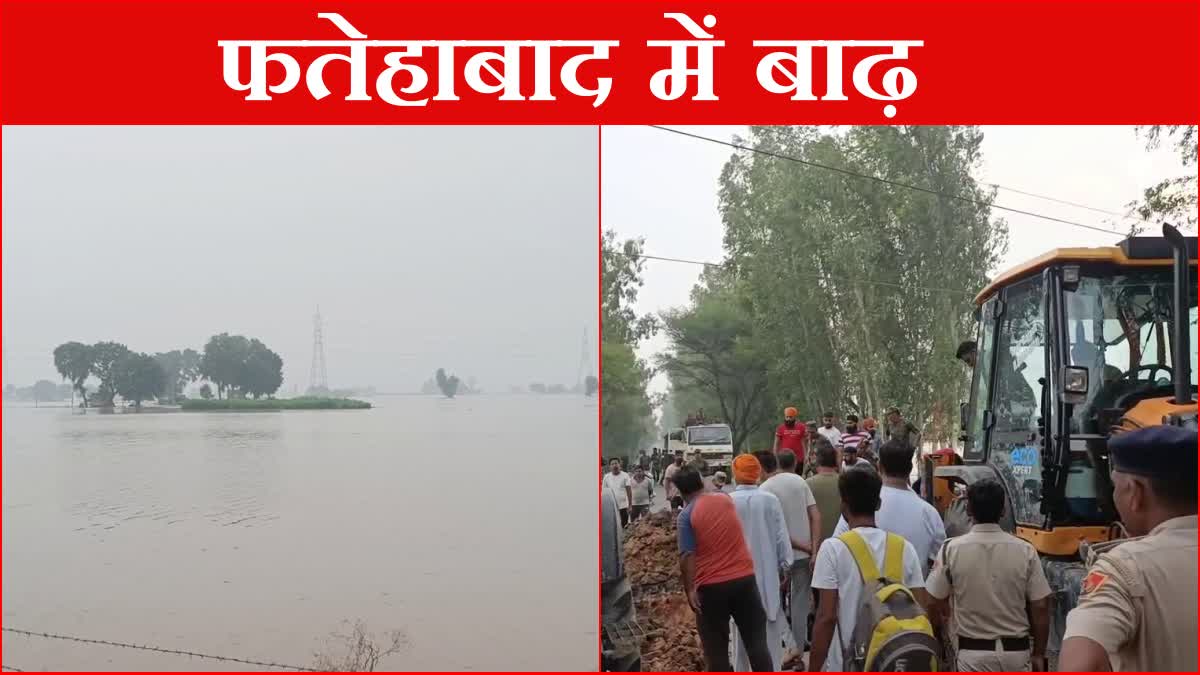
663 187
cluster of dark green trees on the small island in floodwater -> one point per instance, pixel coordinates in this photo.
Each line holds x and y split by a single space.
238 368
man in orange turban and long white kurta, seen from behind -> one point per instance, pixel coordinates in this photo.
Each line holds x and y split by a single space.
766 533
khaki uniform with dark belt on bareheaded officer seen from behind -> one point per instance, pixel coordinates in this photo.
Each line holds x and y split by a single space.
993 577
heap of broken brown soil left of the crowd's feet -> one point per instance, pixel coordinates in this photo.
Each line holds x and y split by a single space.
652 563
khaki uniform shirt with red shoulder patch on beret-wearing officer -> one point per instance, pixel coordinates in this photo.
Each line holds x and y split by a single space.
1139 601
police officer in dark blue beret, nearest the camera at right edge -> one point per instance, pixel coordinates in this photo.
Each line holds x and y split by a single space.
1138 606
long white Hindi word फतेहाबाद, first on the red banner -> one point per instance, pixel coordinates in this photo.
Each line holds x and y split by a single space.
501 62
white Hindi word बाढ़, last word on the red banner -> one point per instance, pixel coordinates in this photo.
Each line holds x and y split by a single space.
796 67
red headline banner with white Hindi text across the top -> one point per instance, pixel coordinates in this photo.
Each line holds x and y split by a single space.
591 63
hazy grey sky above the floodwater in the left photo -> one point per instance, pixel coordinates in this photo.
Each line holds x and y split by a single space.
467 248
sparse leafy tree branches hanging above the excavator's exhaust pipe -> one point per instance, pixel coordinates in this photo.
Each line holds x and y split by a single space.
1174 199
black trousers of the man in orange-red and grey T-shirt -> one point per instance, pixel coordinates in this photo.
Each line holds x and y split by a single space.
736 600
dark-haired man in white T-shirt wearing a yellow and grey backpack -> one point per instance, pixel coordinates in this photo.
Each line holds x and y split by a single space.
872 593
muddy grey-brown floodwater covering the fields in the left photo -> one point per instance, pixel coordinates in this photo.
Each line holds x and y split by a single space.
470 525
